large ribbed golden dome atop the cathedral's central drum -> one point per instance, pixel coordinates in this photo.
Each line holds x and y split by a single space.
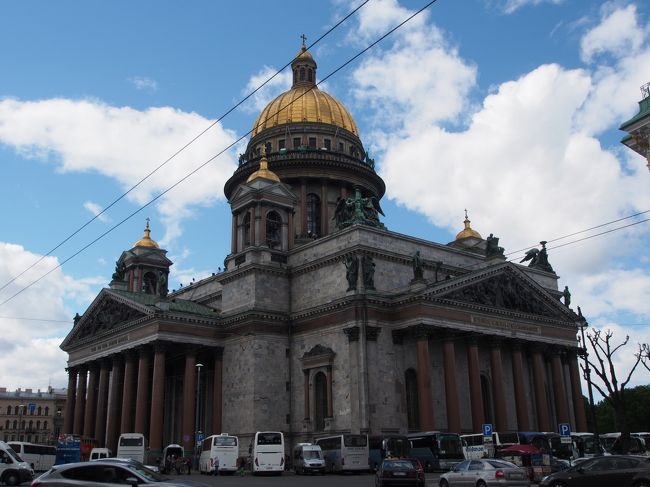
304 104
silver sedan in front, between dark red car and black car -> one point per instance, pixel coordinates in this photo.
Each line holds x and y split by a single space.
485 473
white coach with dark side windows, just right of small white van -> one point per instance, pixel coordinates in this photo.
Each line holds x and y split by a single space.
345 452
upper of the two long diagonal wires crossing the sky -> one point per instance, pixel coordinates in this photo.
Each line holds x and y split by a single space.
173 156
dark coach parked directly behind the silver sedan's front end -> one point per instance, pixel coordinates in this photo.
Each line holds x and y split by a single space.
436 450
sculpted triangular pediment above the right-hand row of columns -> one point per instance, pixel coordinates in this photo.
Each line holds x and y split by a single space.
506 288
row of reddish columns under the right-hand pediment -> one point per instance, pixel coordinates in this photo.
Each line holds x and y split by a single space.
539 357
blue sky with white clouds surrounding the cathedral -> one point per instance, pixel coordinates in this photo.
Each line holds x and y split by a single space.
507 108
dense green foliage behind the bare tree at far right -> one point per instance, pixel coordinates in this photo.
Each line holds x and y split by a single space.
637 406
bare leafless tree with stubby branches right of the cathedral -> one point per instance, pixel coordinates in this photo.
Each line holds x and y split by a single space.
610 388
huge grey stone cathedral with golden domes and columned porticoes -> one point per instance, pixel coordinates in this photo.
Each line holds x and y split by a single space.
323 320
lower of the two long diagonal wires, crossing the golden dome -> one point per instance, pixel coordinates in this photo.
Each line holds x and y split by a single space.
154 199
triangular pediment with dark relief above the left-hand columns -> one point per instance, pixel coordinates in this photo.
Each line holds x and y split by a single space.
106 313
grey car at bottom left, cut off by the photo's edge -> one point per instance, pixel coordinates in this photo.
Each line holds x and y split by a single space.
102 472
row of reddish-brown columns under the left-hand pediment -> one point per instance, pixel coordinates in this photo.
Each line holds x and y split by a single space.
125 392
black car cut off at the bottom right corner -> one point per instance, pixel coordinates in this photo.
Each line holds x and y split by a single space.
605 471
